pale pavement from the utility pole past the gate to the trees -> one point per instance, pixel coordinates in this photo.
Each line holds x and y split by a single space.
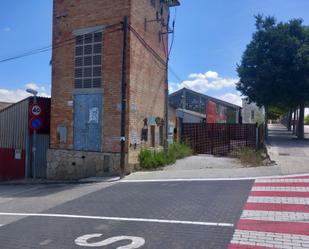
291 156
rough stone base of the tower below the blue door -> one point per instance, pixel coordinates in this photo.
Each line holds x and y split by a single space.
70 164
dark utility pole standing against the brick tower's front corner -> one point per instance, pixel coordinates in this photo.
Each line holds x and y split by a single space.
123 97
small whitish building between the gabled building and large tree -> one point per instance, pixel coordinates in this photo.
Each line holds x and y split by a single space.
251 113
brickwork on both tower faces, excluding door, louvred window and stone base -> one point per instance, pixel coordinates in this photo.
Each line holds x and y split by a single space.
146 76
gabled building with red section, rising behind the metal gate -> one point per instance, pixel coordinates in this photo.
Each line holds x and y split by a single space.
216 111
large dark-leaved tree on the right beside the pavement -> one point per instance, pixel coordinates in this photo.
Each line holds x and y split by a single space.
275 66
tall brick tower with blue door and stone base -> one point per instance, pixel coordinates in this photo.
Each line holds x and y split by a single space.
87 81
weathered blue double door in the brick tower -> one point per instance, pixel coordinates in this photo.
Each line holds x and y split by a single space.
87 122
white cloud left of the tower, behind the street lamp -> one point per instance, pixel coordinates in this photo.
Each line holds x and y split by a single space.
16 95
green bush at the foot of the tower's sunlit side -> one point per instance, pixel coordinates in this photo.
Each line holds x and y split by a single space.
149 159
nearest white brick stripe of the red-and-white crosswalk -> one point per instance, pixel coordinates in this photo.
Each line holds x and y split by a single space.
272 240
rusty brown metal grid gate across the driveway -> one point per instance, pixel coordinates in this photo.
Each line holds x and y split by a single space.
221 139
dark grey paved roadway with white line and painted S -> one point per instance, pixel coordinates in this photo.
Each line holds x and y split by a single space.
158 215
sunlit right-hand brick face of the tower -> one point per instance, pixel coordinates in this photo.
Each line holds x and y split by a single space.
147 74
